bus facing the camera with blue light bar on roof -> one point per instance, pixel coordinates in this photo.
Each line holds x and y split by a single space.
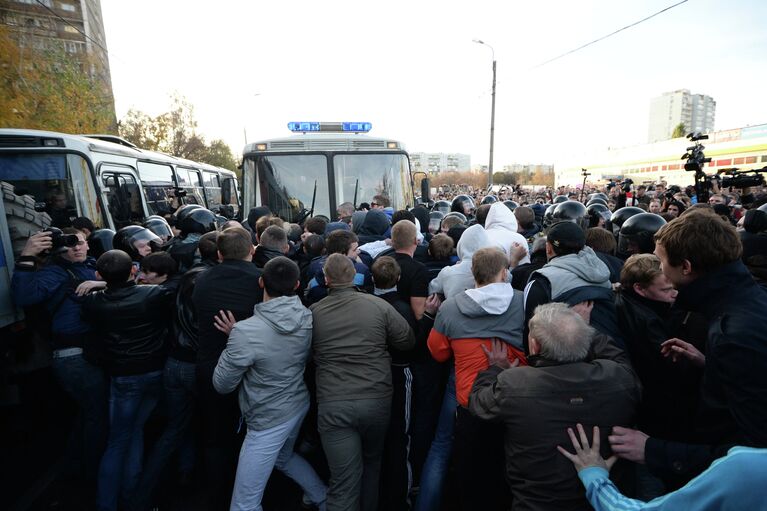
322 166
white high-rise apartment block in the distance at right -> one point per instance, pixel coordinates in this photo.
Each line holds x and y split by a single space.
695 111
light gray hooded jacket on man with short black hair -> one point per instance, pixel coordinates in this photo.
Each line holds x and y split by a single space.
267 353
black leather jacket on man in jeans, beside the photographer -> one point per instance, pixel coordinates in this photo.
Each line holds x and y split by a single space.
130 323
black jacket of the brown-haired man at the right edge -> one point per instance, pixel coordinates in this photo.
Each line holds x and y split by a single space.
733 407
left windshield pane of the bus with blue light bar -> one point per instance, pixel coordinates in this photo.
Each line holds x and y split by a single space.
288 181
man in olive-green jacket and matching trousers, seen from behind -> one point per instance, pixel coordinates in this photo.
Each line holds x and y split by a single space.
354 390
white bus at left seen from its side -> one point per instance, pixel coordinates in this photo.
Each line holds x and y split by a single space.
49 178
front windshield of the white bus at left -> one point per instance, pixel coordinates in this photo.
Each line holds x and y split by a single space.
46 178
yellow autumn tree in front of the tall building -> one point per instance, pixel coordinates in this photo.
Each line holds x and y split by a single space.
50 89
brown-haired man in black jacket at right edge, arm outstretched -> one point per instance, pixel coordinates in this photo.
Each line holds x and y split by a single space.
701 255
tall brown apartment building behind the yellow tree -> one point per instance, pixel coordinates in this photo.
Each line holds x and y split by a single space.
75 26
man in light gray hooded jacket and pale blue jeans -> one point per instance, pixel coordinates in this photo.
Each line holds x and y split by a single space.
266 355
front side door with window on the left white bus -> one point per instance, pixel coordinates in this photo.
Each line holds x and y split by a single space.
122 194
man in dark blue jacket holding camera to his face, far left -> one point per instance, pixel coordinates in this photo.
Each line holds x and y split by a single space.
52 286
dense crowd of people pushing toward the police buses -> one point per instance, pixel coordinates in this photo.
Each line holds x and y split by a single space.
384 359
